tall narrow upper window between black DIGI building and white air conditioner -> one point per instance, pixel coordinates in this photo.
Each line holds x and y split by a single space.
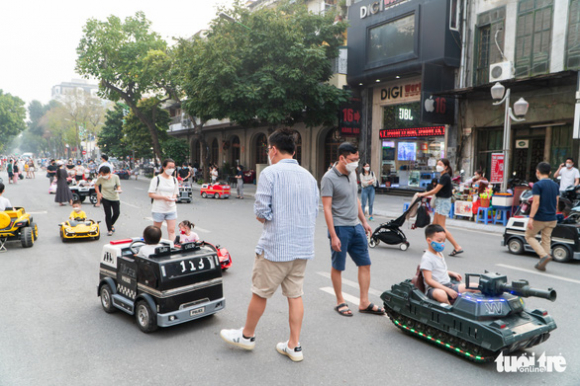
490 25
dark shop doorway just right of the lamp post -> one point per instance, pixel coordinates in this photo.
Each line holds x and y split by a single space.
528 152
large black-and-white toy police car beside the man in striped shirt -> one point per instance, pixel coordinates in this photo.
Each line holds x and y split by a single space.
170 287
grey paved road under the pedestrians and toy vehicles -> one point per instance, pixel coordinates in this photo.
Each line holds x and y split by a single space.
54 332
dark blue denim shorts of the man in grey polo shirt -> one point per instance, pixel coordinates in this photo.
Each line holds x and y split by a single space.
354 241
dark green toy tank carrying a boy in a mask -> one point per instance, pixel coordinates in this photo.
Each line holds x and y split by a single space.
479 325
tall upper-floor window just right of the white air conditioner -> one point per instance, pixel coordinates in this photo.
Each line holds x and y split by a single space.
533 37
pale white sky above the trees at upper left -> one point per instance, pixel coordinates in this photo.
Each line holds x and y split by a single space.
38 38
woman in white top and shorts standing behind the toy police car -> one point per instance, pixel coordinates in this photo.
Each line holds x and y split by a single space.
163 190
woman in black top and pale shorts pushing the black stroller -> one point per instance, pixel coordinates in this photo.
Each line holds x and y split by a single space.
443 192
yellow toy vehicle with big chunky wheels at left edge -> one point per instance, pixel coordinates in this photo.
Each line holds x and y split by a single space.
17 225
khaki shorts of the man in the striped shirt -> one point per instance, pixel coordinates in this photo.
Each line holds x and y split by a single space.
267 276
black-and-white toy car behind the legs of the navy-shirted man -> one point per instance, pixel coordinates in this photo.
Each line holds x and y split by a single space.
565 239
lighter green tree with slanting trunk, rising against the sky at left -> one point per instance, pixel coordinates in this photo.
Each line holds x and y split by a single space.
115 53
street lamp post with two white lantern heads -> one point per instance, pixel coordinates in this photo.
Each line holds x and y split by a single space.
520 109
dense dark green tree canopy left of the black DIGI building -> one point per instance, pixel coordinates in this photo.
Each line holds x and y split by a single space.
275 70
